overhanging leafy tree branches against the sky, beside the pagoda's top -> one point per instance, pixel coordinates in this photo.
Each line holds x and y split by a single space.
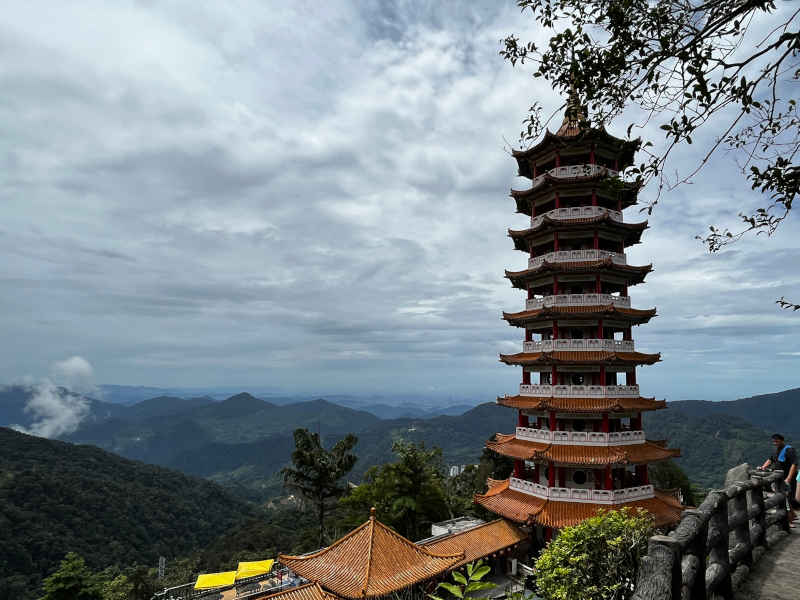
722 73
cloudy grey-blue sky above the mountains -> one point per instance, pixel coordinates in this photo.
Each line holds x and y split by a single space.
313 198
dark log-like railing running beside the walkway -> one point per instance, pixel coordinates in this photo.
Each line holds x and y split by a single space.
714 546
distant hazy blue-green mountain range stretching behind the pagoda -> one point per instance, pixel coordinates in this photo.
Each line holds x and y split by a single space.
243 441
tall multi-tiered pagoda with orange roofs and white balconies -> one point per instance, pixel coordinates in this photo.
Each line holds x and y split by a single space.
579 445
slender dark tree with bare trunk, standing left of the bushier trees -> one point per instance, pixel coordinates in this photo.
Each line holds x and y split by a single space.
316 473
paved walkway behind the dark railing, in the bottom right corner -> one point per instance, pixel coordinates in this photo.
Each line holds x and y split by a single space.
777 575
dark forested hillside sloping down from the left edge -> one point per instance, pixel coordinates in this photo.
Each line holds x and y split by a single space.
57 497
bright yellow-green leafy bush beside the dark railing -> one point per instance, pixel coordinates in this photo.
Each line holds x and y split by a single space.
595 560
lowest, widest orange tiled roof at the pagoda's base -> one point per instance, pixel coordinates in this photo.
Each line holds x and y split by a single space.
524 508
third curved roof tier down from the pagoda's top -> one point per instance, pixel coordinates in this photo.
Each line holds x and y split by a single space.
609 230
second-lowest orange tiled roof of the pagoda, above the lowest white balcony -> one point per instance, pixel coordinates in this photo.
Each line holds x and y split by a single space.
509 445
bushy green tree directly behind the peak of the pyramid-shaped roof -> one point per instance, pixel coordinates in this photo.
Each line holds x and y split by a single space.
409 494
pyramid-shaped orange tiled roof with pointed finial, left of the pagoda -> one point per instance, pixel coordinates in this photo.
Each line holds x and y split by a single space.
370 561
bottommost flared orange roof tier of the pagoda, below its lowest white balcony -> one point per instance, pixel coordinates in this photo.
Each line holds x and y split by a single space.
524 507
